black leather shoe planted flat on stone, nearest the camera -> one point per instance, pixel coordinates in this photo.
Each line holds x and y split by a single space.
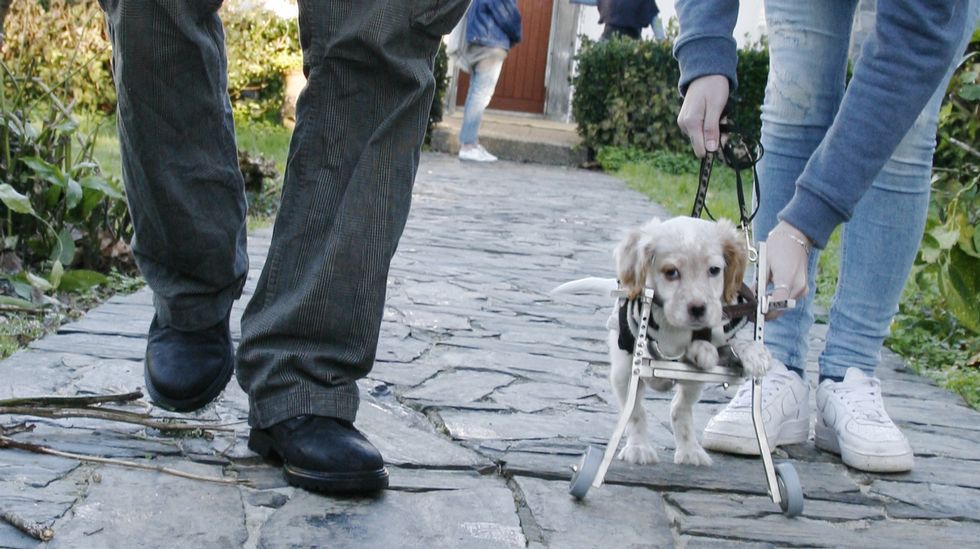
322 454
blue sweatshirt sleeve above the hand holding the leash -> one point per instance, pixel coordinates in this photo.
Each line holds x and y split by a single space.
705 45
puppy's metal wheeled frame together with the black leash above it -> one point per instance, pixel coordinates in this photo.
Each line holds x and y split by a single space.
782 481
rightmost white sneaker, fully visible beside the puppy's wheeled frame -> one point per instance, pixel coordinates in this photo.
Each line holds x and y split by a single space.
852 422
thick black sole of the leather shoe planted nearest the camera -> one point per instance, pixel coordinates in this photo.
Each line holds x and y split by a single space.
361 482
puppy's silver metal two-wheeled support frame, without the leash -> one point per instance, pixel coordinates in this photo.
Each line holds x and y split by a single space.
781 478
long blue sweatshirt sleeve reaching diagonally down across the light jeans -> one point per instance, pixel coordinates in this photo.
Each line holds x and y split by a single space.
900 67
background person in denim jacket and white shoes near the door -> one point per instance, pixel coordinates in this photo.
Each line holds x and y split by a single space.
492 28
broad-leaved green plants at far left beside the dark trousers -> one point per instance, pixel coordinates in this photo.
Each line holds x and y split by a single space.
58 209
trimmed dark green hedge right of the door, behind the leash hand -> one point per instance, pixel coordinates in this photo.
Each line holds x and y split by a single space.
626 94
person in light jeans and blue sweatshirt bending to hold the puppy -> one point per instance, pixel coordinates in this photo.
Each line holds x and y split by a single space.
860 156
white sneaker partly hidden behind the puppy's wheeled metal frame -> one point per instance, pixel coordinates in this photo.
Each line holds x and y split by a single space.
785 413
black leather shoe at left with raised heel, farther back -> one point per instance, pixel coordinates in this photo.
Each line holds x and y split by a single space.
186 370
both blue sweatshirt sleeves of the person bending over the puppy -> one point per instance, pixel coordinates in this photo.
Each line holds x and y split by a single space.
901 66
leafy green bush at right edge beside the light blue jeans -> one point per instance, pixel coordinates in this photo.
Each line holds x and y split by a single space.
938 325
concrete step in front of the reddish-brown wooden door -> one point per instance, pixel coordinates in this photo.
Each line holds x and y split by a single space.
516 138
